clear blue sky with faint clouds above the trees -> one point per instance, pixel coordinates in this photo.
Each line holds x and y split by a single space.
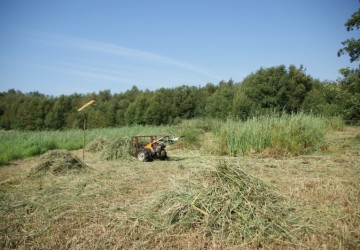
76 46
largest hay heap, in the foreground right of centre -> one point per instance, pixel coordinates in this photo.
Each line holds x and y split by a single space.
226 204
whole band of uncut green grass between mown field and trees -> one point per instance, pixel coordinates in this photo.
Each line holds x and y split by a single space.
282 134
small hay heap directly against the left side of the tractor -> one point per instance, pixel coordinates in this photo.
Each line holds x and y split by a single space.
116 149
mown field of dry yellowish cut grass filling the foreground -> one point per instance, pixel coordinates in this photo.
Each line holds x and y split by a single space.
191 201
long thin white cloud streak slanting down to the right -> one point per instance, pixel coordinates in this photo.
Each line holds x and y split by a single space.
120 51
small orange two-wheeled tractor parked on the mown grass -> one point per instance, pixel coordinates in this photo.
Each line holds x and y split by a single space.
148 147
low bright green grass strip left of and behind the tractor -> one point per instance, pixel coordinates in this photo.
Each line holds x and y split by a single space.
21 144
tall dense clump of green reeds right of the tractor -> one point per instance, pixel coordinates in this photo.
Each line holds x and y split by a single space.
280 134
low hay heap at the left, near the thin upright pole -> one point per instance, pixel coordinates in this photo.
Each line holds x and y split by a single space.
58 162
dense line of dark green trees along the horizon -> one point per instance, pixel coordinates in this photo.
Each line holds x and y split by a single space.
274 89
